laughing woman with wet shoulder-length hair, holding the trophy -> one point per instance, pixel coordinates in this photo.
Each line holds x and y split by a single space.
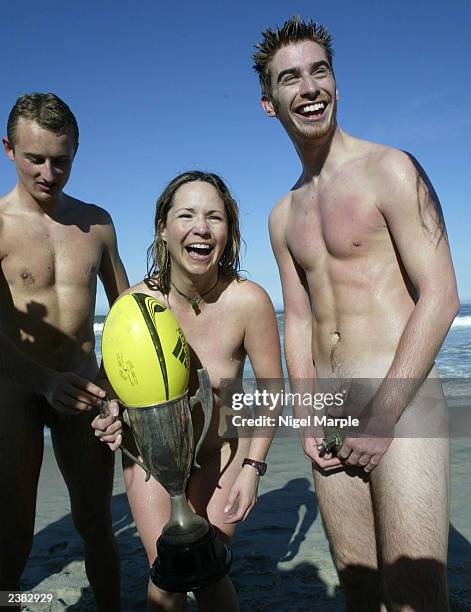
194 271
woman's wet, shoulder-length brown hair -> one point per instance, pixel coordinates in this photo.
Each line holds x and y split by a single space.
158 259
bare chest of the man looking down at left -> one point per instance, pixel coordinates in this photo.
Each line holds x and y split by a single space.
39 257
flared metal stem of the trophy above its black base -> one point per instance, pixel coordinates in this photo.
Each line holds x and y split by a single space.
184 525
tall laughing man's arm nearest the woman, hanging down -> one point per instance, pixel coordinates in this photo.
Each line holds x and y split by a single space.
298 334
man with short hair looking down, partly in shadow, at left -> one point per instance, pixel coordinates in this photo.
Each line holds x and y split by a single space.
52 247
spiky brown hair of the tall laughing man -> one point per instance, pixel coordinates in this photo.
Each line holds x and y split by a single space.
293 30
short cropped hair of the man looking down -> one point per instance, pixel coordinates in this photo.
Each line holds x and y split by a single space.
49 112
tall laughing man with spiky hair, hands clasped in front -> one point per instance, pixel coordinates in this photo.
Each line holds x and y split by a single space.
367 275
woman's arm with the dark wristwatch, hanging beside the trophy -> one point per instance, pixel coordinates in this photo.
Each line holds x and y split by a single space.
262 346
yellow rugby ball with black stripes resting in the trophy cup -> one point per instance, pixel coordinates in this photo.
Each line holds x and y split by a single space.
145 354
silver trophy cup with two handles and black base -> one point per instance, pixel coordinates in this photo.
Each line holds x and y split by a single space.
189 553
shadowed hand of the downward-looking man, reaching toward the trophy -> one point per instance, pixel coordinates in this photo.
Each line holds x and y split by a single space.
69 393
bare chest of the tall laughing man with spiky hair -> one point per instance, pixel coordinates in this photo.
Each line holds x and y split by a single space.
334 223
